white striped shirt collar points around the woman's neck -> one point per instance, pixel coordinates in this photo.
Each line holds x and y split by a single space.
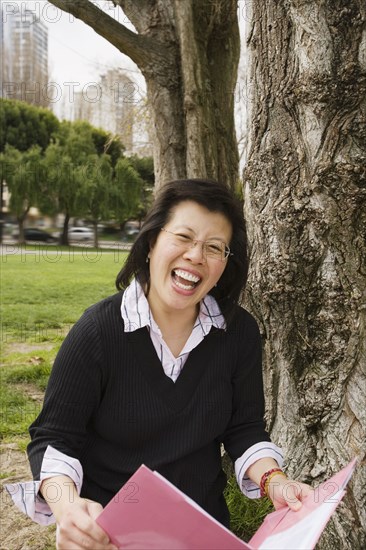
136 312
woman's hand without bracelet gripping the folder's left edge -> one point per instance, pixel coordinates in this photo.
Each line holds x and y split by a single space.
77 528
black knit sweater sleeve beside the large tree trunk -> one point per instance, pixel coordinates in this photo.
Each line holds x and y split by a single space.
246 426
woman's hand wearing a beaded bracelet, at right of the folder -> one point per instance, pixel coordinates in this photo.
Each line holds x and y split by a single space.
287 492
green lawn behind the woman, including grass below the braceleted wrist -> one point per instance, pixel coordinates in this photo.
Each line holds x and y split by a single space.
44 291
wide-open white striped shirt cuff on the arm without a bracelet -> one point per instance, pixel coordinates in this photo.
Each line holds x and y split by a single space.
26 495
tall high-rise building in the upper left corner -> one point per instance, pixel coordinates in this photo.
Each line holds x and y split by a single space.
24 67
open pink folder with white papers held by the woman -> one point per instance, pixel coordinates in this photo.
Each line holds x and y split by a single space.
149 513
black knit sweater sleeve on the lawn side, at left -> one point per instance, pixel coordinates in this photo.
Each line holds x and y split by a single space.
73 394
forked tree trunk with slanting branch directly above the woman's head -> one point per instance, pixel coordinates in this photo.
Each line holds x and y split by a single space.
188 52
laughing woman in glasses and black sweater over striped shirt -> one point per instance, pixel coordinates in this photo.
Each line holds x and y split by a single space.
161 373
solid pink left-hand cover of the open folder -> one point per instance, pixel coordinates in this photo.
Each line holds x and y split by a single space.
150 513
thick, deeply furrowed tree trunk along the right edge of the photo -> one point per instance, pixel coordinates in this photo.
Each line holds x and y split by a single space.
305 208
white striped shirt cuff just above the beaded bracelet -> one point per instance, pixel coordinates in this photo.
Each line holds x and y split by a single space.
264 449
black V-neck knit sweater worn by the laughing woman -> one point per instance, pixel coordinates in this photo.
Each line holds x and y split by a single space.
109 404
